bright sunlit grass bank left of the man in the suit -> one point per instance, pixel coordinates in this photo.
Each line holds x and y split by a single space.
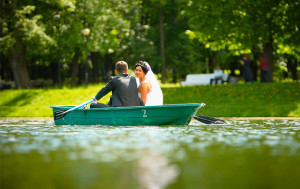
37 102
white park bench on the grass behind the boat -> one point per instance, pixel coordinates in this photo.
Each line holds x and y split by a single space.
201 79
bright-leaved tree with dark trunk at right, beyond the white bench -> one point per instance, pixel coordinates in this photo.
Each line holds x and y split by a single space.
242 25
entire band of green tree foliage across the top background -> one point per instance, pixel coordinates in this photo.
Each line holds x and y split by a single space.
176 37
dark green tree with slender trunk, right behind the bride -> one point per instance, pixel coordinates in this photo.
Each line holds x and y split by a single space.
167 26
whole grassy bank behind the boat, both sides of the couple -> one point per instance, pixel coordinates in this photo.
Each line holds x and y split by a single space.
257 100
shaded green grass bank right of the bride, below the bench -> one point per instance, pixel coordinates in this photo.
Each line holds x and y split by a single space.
250 100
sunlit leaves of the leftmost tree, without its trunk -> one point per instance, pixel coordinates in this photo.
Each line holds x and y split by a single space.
25 20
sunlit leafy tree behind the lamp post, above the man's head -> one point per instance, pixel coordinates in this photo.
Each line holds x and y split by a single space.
112 35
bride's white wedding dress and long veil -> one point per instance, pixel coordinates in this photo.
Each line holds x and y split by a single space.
155 97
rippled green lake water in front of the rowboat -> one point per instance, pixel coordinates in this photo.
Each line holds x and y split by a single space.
238 154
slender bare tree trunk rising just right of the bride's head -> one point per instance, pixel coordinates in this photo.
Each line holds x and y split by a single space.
162 46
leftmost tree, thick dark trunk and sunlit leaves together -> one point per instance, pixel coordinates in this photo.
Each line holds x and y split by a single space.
21 29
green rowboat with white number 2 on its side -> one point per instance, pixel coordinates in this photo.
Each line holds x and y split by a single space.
172 114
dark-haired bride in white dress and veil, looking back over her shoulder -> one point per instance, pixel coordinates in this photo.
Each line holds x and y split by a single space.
148 88
